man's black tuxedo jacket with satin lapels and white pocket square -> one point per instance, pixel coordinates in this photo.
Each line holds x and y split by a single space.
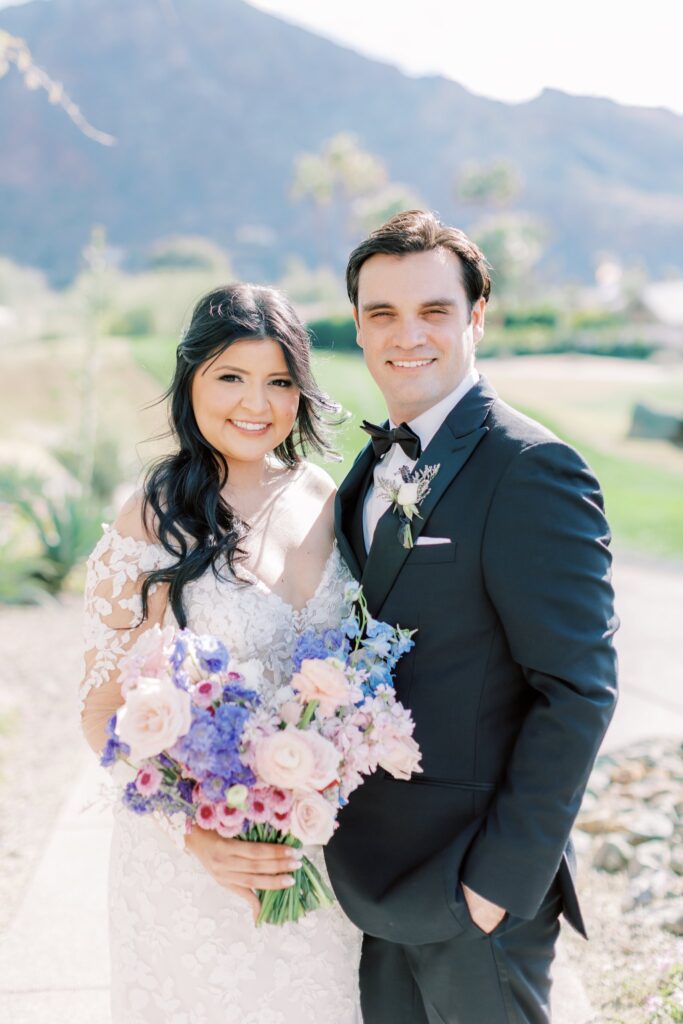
513 681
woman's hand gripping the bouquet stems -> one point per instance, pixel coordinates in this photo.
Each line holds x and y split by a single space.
243 867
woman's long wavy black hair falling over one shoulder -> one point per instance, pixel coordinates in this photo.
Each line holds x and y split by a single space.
192 520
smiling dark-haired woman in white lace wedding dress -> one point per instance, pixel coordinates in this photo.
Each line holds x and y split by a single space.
233 536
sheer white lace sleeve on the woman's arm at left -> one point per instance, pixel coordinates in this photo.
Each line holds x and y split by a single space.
116 571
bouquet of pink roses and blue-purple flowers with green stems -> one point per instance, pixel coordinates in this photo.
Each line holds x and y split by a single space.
204 749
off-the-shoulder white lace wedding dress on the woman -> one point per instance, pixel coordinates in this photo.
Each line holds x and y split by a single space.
184 950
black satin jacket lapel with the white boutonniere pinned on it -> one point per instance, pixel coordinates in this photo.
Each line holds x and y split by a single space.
451 448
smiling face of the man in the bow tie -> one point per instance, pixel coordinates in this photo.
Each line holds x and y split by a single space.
416 328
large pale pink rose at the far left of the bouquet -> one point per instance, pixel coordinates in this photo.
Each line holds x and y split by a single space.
155 716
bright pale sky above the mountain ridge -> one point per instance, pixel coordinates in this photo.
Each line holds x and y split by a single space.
511 52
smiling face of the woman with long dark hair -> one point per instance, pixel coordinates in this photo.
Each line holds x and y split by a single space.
245 400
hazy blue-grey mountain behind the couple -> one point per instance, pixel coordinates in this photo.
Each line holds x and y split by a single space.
211 101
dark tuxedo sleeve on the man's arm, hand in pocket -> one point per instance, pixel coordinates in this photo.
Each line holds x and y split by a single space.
547 571
